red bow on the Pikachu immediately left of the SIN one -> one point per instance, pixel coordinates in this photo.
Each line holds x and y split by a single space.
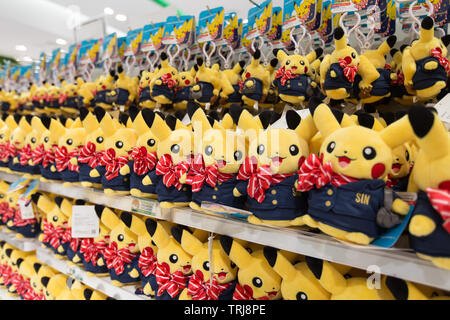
259 178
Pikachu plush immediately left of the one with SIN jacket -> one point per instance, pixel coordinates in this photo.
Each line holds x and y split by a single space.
268 173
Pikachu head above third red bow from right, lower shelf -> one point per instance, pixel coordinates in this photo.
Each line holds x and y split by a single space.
169 250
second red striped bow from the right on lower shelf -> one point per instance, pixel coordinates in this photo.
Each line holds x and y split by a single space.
198 289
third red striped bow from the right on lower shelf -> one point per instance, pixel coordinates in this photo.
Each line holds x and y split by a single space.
173 283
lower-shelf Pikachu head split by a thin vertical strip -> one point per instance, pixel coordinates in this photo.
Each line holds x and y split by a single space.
222 267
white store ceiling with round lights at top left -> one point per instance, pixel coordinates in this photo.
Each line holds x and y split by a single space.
37 24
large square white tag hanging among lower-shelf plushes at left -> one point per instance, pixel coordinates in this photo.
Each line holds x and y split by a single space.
85 222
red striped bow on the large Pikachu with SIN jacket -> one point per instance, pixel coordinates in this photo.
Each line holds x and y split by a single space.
313 173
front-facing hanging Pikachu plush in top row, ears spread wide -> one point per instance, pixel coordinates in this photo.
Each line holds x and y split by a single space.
292 79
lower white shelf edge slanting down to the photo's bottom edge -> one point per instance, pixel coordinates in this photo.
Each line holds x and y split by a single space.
102 284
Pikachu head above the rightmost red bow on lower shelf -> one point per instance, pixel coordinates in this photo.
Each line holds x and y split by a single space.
254 271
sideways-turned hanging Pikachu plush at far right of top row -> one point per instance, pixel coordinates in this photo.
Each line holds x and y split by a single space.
425 64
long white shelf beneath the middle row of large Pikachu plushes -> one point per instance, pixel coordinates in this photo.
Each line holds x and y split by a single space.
401 263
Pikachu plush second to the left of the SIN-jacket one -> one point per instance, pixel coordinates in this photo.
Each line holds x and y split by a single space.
213 171
